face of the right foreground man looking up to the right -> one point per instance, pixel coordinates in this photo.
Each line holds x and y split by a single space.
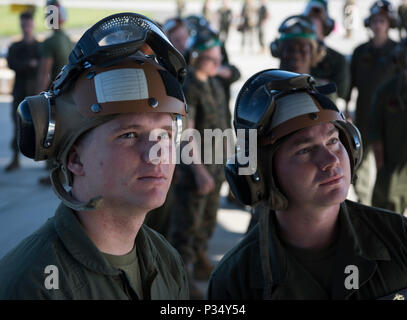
313 168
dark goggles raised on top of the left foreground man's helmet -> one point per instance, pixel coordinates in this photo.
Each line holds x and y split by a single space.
118 36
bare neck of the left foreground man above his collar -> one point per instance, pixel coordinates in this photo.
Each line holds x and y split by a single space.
113 231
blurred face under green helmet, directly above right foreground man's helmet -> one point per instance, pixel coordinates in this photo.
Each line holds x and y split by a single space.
296 56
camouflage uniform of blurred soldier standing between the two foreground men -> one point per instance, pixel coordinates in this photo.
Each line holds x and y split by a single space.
194 215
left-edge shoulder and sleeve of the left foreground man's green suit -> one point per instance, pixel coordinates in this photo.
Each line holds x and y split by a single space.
22 272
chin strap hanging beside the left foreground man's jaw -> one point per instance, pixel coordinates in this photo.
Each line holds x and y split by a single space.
67 197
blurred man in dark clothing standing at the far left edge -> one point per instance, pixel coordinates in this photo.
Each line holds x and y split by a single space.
23 57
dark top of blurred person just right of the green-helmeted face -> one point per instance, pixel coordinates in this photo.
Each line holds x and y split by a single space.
333 68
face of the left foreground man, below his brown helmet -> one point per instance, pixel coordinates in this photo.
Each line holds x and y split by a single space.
117 165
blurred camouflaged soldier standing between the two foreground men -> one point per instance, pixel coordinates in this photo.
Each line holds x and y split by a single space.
197 189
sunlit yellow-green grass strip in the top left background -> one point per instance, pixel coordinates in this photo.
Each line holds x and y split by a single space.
77 18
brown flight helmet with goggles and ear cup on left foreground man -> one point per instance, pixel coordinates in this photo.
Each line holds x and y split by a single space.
122 64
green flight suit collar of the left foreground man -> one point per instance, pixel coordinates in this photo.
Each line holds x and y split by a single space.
81 247
